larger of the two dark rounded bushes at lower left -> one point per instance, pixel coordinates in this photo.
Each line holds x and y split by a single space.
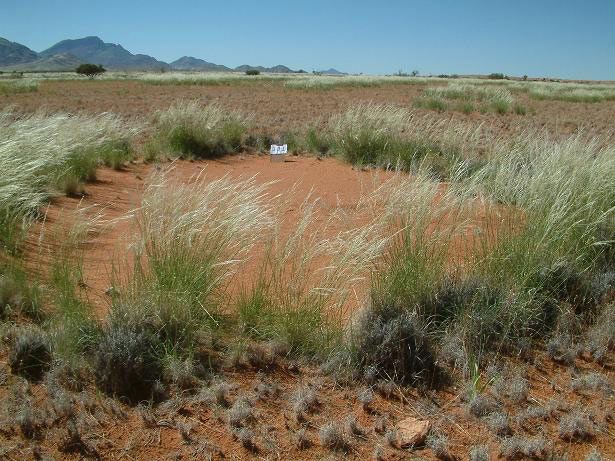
127 363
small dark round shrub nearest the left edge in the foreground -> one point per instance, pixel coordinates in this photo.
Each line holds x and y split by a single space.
30 355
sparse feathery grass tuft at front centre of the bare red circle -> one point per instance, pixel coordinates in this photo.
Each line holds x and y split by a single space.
301 294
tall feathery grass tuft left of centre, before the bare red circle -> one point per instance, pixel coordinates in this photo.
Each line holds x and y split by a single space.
189 240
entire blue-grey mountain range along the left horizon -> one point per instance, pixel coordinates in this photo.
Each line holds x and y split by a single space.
68 54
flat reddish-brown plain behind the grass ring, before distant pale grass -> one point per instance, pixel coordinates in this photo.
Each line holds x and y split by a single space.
277 109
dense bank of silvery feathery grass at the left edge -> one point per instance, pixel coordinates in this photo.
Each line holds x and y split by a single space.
42 155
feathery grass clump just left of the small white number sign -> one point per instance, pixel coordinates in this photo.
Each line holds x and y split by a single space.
191 130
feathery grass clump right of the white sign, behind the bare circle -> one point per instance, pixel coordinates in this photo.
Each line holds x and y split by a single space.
392 137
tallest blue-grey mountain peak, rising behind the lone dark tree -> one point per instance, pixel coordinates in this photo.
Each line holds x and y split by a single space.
111 56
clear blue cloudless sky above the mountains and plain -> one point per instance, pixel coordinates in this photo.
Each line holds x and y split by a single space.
539 38
